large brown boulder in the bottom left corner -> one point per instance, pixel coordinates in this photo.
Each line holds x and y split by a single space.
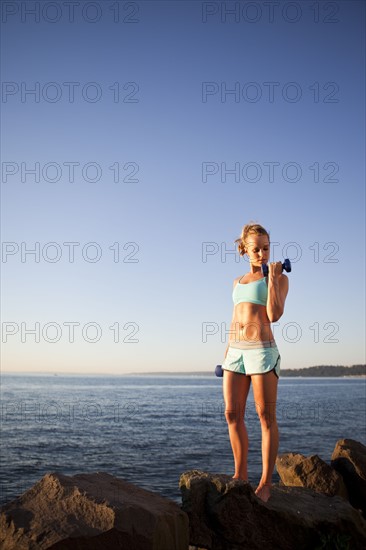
91 512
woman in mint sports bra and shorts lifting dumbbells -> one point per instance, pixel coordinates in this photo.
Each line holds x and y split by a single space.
252 354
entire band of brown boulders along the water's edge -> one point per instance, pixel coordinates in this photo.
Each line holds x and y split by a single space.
308 509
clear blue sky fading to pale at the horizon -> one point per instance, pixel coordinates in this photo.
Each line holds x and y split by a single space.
294 130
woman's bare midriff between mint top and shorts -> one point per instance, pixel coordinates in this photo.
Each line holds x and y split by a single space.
250 324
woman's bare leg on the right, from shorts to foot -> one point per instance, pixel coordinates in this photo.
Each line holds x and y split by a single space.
265 398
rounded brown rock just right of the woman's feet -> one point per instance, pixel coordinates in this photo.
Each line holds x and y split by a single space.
297 470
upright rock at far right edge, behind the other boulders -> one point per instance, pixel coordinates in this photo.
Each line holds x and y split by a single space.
349 459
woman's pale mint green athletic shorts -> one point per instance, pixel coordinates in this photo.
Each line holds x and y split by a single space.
247 358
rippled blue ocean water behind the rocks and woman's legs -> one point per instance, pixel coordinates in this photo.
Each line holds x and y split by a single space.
148 430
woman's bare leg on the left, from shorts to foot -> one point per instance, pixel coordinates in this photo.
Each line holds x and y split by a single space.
236 388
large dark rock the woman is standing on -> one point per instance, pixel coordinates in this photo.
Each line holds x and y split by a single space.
225 514
